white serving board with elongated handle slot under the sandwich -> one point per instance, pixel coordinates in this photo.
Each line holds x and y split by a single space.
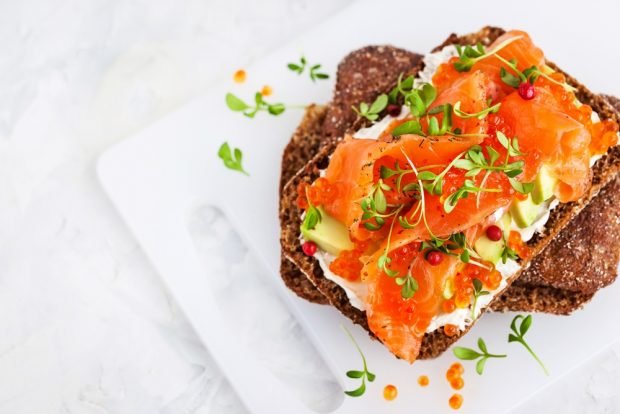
157 176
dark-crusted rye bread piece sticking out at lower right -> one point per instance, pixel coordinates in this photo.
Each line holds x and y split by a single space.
582 259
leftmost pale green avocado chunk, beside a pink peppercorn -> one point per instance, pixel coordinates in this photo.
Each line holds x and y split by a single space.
329 234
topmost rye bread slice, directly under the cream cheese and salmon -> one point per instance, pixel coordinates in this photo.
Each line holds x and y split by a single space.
436 342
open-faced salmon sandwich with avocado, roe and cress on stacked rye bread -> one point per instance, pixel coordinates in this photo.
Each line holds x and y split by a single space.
454 176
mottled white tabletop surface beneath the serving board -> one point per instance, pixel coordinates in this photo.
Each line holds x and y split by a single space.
85 324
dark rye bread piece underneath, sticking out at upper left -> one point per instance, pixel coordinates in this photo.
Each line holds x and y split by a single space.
360 76
